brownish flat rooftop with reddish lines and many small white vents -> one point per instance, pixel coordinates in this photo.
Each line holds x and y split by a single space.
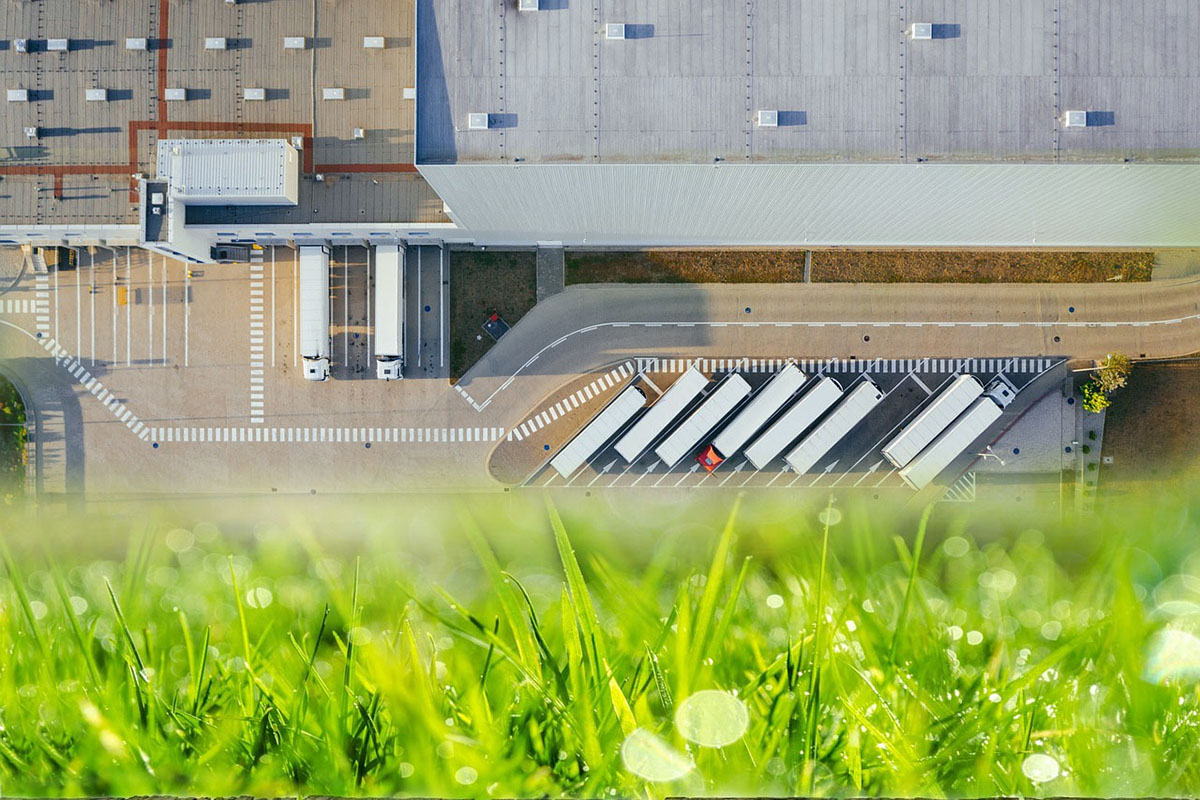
79 170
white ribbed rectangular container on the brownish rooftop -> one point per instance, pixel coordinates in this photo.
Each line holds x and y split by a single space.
231 172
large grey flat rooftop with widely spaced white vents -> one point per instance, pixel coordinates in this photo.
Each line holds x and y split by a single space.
848 81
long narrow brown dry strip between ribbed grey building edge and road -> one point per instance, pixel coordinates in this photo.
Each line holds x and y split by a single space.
856 267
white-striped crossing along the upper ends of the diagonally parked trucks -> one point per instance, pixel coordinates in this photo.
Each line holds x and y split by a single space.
829 366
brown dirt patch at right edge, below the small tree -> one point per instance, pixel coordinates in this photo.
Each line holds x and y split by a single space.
1153 430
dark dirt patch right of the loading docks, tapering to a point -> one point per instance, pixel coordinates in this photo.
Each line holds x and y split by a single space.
484 284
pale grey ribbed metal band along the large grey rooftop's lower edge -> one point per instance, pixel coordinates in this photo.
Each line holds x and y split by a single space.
985 206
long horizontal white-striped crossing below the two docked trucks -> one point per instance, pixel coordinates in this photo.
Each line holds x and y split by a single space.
364 436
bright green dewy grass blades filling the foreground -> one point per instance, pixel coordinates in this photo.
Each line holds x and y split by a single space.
512 649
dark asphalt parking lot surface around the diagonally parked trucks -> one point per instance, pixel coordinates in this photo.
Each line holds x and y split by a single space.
855 461
